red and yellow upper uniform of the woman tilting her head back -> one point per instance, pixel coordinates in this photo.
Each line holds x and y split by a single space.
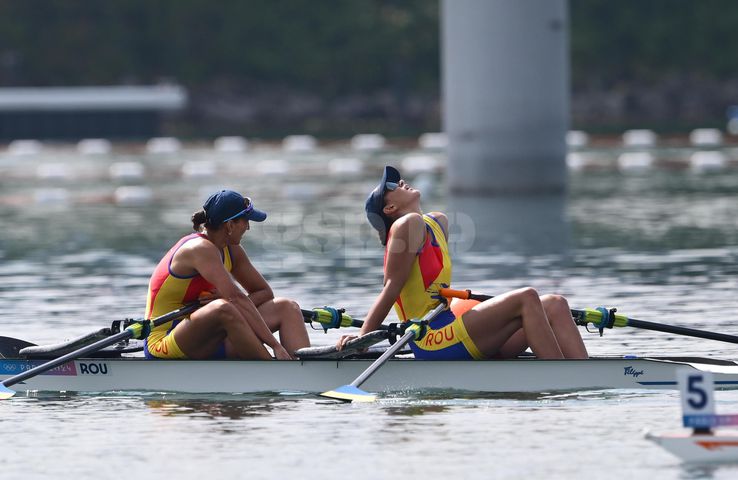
430 271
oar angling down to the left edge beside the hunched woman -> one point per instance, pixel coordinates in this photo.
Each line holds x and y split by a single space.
134 331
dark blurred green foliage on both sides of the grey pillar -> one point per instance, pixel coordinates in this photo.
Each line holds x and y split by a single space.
333 47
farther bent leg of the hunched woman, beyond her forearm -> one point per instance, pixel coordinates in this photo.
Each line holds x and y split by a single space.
284 315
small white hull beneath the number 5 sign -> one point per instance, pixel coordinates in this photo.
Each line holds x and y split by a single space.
720 448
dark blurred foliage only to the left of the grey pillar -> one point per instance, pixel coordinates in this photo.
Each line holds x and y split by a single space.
326 47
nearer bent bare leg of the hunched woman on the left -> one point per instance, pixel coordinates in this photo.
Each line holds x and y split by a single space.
200 336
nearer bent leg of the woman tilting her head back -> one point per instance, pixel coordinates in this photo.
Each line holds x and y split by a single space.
494 322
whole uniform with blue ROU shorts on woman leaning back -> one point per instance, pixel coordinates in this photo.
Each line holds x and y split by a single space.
446 337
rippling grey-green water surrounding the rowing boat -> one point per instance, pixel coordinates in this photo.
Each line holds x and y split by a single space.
80 242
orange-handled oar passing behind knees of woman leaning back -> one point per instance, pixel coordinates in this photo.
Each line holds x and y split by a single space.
607 318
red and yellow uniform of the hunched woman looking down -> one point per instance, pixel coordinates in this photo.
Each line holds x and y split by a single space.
169 291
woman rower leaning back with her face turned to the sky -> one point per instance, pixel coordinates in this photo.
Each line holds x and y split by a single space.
417 264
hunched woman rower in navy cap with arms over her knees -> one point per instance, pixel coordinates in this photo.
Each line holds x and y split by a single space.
244 316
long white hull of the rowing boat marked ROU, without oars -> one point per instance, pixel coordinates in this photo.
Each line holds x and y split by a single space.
524 374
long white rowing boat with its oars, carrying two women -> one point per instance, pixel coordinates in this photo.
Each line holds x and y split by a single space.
107 366
